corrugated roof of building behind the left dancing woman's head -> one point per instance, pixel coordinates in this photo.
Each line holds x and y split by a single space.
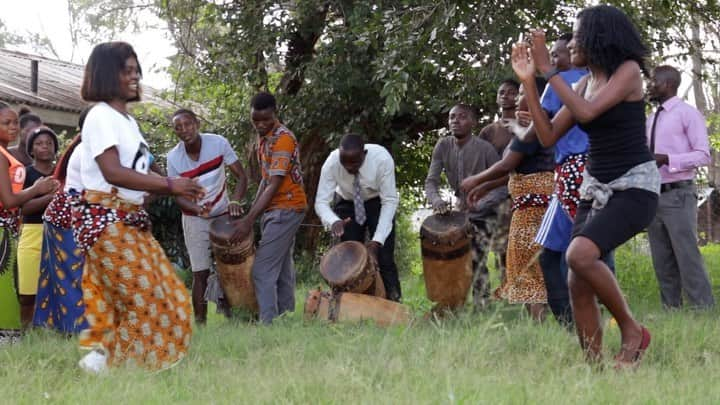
58 83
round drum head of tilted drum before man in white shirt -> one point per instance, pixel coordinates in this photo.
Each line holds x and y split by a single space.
344 261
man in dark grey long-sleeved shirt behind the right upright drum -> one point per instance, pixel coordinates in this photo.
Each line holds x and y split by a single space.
460 156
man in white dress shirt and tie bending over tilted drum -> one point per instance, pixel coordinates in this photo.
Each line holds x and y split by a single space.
362 177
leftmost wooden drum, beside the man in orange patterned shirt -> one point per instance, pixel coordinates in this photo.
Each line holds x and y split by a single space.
234 264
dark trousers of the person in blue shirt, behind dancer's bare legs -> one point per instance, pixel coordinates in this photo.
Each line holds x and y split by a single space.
554 268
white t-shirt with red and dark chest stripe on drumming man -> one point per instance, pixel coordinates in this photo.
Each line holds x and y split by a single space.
209 169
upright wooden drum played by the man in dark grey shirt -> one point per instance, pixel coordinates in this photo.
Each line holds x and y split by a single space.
447 260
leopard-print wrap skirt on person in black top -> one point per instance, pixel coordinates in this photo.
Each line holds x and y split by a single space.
524 282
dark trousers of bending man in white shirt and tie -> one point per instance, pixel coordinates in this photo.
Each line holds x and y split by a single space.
361 233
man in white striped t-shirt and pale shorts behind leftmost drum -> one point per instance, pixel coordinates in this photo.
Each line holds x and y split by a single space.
203 157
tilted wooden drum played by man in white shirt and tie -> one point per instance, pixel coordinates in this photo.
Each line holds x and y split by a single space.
348 267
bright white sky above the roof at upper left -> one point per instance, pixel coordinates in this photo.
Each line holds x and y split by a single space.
50 17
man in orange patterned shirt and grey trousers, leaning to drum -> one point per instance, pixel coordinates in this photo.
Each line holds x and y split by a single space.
281 201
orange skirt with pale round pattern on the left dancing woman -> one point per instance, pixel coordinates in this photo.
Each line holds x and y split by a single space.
138 310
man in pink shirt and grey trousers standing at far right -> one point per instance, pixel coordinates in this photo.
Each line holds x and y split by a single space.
677 135
